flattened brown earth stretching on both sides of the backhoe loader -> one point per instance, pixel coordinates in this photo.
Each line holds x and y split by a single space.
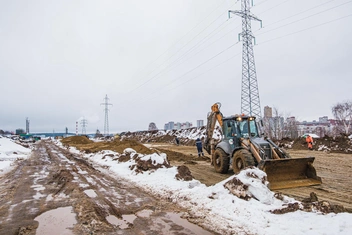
335 169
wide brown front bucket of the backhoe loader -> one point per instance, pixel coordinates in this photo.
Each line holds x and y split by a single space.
290 172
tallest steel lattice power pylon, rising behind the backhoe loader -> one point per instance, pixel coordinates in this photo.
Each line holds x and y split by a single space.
250 103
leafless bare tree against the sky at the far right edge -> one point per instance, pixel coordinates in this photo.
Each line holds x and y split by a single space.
343 114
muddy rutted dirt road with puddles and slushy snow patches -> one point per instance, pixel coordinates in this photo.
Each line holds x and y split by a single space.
54 189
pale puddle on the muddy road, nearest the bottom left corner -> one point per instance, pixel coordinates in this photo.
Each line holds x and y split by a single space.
56 222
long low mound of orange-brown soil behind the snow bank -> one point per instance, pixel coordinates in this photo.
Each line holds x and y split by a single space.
84 144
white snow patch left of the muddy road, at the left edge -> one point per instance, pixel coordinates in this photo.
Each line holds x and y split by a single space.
10 152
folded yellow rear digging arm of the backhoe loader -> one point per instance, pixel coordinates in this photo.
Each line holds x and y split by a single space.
214 116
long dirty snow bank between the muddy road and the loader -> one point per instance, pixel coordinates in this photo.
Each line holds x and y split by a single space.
216 207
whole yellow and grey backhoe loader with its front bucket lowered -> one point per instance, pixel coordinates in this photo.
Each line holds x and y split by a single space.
242 145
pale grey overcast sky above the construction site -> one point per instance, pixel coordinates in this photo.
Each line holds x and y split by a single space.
161 61
